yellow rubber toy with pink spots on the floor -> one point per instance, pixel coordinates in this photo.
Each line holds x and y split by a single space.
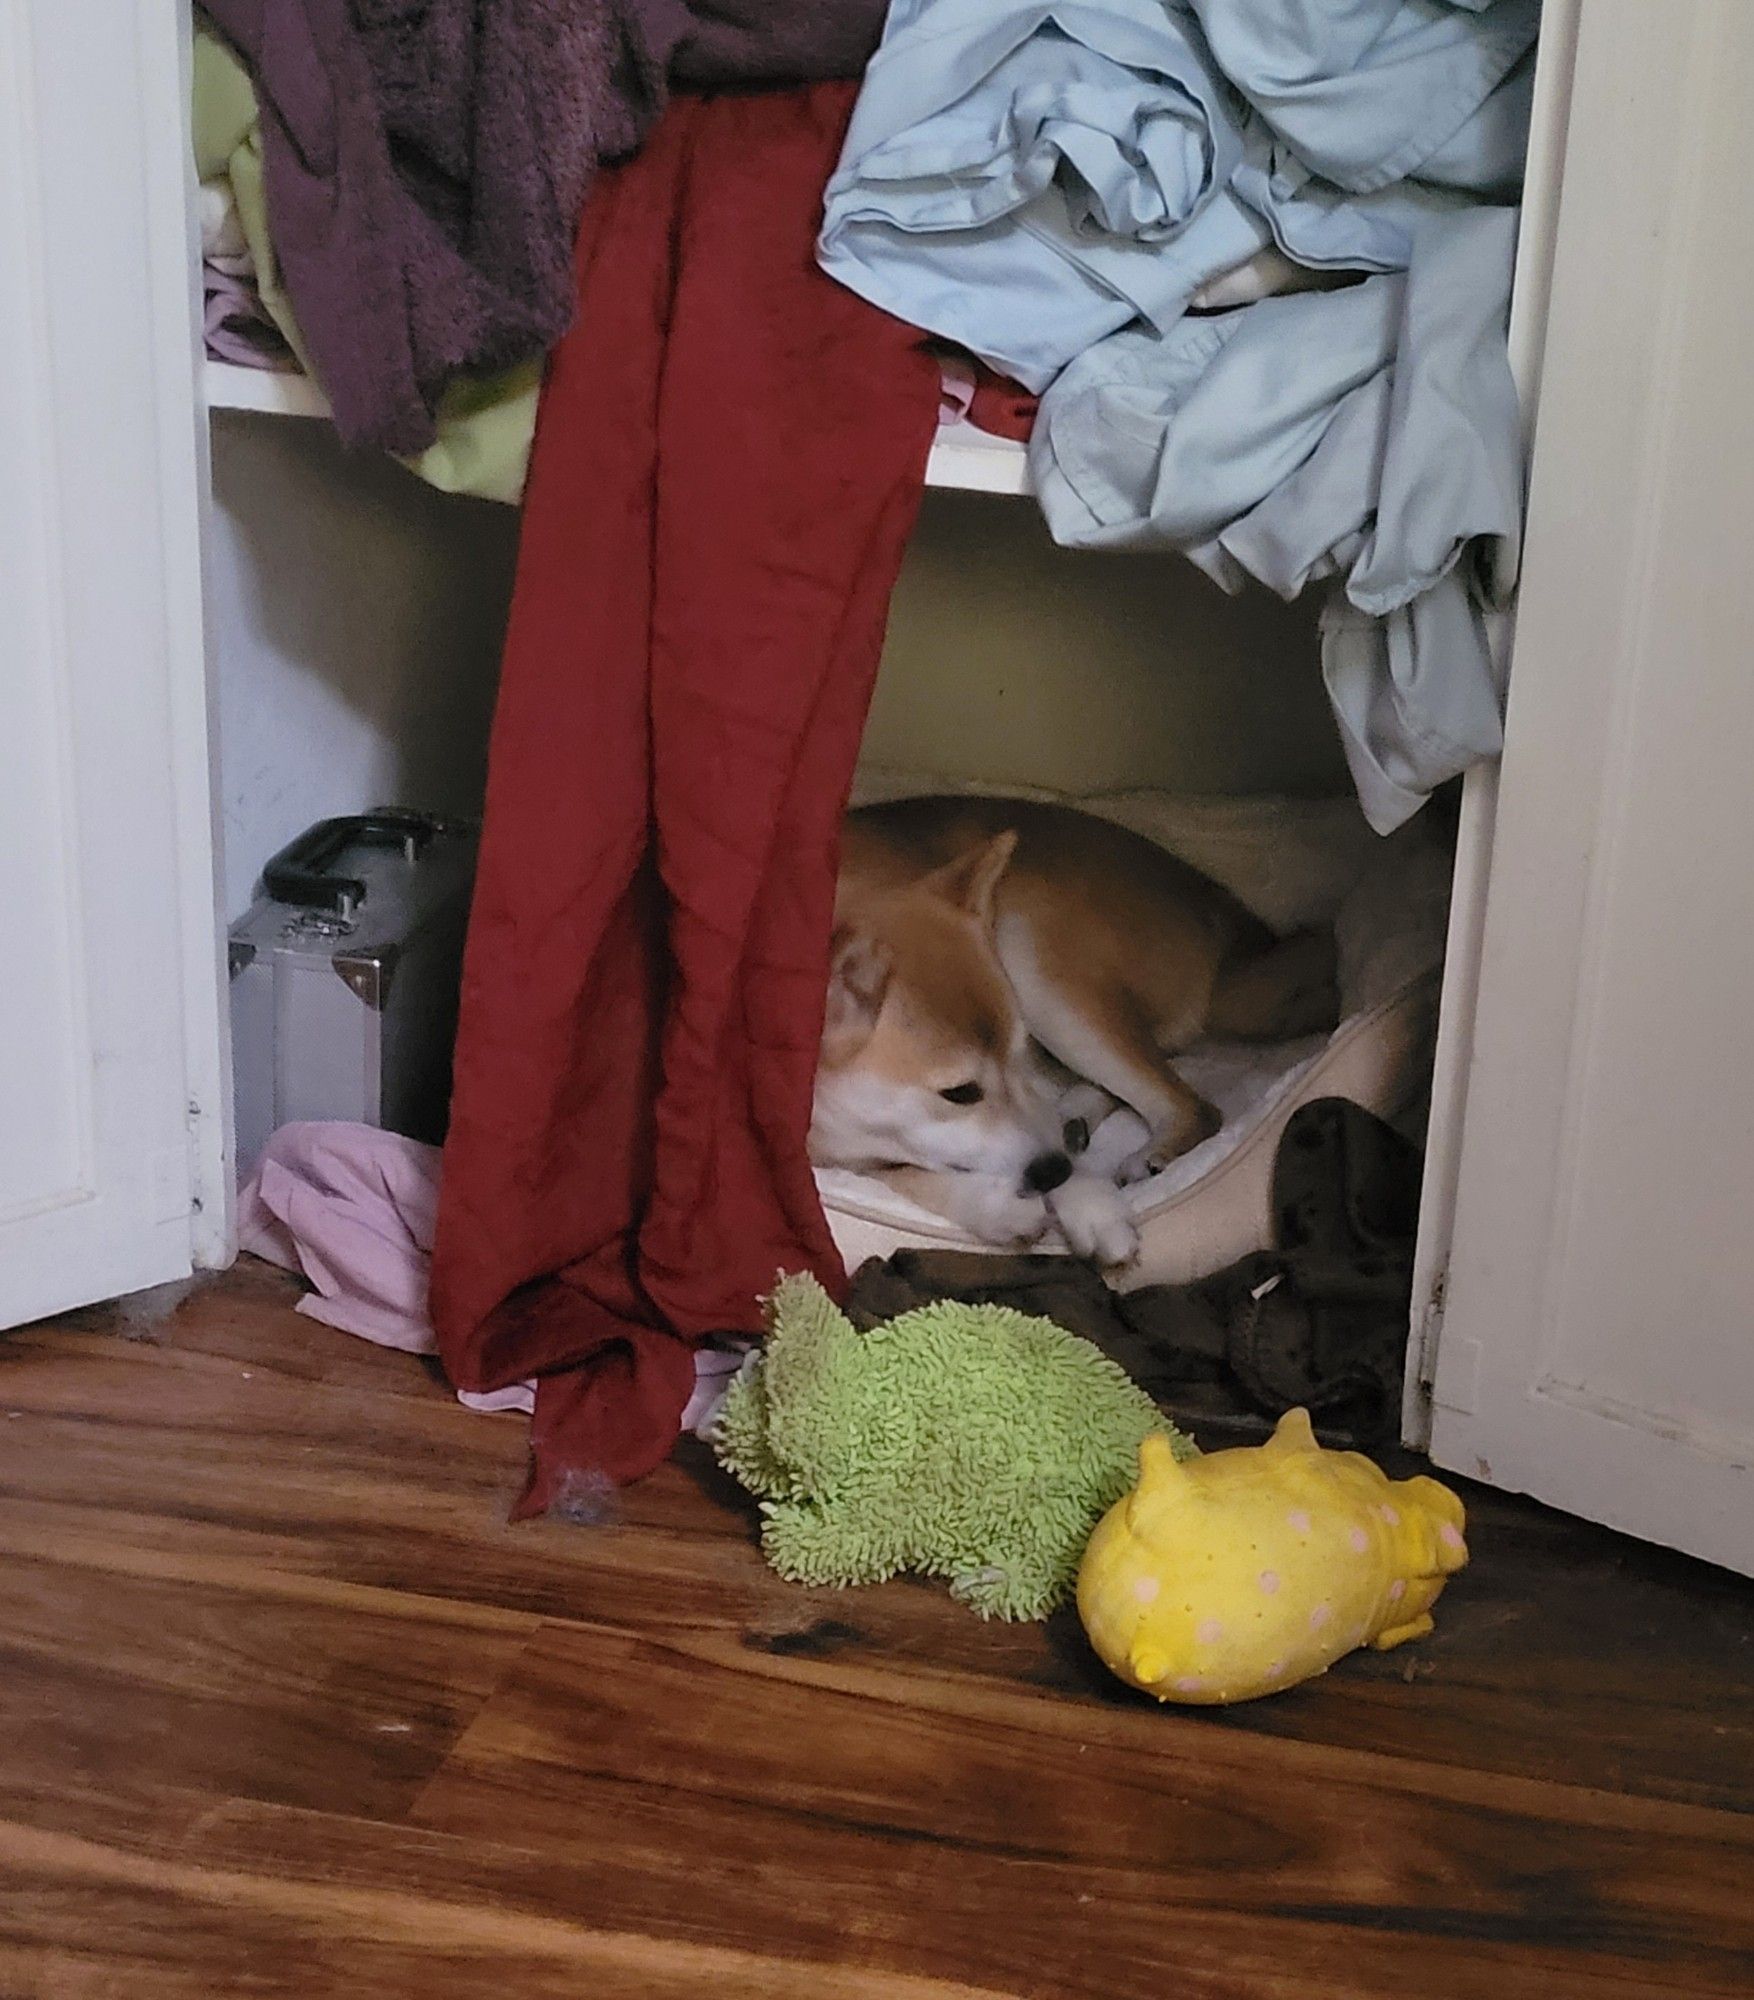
1249 1571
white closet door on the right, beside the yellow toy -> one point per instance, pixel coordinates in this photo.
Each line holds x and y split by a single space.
1597 1335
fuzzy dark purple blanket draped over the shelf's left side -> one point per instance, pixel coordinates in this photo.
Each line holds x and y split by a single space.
427 163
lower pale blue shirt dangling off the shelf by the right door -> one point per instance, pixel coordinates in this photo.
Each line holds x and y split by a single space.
1371 437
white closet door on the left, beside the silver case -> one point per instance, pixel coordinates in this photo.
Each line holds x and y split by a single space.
111 1041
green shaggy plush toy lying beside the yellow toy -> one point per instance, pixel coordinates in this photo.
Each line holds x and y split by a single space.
971 1443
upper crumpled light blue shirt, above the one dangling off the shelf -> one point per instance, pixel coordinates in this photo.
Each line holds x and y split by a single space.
1027 177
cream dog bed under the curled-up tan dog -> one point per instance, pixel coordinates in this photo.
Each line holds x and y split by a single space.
1295 863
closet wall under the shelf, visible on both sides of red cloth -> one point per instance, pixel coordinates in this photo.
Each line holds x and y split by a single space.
359 621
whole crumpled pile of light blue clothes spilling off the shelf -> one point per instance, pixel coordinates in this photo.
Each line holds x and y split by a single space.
1061 189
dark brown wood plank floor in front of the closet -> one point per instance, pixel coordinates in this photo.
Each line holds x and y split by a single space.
289 1709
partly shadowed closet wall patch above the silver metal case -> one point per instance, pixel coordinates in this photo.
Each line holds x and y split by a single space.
357 625
